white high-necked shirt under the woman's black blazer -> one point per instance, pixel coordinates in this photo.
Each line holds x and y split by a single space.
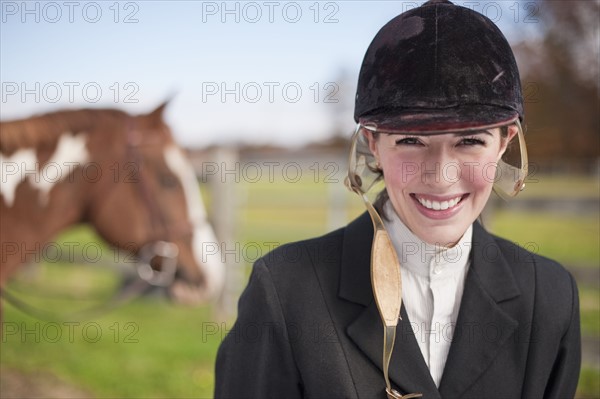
433 279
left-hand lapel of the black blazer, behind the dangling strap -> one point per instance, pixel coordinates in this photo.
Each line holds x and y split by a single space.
408 370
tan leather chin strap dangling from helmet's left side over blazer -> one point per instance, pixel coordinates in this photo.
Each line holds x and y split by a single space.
386 279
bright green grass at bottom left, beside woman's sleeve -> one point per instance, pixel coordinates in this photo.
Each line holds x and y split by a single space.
145 349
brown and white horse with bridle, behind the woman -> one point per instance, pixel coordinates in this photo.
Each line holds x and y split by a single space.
123 174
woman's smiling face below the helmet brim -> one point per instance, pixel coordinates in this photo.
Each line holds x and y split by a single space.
438 185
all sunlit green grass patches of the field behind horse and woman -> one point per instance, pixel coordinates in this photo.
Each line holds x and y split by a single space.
148 348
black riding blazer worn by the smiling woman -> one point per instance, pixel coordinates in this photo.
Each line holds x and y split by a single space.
308 327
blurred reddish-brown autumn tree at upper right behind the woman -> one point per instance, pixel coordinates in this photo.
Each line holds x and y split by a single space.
560 75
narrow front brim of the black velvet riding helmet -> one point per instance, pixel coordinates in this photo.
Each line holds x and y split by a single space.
439 121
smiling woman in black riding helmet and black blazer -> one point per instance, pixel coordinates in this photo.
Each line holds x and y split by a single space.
455 311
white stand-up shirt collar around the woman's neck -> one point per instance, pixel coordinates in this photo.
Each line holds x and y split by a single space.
419 257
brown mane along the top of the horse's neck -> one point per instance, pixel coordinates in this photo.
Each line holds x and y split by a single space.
41 130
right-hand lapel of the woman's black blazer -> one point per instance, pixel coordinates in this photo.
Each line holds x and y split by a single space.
483 327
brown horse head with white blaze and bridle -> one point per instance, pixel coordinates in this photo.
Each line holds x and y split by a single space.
149 202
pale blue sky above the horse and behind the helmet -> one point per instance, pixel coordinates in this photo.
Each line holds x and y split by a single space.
258 72
